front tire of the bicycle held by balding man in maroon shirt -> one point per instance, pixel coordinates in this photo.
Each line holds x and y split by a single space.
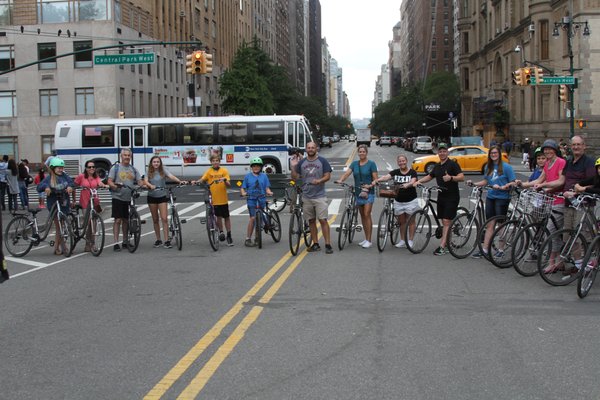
560 276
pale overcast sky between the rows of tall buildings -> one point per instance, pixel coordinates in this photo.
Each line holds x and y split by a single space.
357 33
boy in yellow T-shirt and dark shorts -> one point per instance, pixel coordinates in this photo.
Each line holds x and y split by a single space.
218 179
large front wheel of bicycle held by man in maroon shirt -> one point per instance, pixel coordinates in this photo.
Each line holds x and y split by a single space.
558 266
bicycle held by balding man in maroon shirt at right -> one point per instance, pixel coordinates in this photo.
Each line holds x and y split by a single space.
572 241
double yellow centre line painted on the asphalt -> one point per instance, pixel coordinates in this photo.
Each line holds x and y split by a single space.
206 372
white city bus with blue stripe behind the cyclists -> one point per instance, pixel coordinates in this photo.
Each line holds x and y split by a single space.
184 144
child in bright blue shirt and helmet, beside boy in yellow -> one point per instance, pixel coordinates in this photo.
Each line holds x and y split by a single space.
256 186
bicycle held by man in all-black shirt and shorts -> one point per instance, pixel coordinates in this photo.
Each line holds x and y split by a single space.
422 222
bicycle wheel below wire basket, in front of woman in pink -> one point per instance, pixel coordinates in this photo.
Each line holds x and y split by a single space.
527 246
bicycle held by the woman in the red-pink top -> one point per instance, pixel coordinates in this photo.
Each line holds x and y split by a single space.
87 224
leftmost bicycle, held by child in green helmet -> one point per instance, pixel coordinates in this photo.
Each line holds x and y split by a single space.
23 232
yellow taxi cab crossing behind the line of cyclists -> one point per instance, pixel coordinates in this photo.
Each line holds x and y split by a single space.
470 159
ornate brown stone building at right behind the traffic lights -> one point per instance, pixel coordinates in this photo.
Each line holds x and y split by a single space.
490 31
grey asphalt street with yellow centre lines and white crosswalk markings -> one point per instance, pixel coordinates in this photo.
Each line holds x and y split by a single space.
249 323
